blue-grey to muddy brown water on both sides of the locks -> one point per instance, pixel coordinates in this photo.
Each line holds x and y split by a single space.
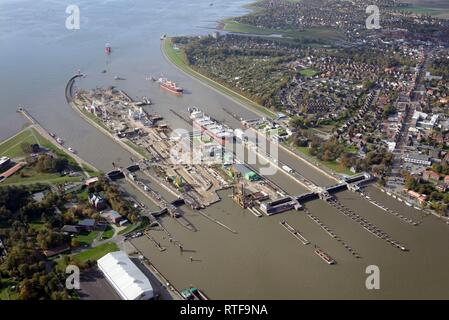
261 260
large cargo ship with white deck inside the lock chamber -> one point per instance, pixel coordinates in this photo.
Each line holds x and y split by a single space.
219 132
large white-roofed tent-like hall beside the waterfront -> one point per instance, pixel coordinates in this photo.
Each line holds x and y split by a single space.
129 282
